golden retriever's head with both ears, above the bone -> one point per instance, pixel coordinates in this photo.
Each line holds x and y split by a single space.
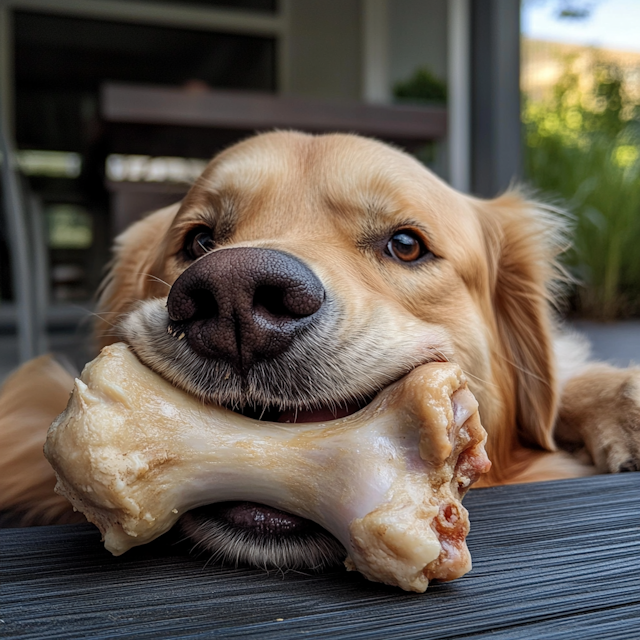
302 274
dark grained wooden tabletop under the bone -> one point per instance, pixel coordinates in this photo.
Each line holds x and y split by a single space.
553 560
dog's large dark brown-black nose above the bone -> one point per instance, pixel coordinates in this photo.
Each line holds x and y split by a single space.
244 305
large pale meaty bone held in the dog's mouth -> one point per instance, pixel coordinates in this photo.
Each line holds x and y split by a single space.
133 453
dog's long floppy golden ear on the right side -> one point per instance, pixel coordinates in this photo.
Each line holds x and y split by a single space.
523 240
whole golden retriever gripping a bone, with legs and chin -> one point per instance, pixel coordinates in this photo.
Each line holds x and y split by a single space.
303 274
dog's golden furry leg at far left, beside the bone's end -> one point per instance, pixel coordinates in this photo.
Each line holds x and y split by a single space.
29 401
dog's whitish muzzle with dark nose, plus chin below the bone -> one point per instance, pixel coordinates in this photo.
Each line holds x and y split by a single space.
255 331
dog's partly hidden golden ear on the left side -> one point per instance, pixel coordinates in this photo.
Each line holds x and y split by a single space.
133 273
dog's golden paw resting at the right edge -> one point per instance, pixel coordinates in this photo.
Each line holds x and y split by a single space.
600 411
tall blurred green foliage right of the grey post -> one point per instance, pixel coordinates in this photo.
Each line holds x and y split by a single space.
583 150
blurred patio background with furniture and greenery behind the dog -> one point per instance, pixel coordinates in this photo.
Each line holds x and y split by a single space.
110 108
